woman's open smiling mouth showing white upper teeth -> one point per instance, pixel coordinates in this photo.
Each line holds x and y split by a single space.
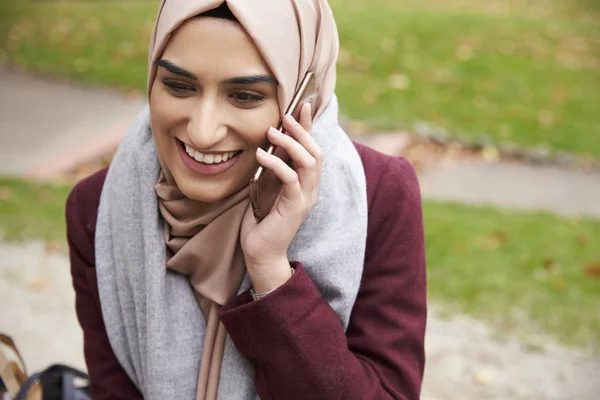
207 163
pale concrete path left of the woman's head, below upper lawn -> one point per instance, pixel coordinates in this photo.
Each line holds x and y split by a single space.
46 126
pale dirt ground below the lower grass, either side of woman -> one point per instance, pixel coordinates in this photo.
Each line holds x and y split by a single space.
464 360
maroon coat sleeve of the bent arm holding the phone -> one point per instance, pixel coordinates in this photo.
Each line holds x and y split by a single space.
295 339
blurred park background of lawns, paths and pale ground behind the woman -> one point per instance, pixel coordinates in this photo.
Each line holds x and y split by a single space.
495 102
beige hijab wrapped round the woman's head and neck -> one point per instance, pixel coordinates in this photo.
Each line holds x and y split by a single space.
294 37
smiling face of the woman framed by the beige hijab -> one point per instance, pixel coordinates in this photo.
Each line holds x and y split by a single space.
211 104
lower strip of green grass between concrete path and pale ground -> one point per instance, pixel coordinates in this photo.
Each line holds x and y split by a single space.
521 272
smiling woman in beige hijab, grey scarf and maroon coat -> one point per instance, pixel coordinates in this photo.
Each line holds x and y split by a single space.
181 293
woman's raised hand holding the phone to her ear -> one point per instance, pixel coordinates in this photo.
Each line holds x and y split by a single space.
265 243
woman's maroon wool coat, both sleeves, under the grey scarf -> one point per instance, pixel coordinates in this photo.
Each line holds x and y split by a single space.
293 337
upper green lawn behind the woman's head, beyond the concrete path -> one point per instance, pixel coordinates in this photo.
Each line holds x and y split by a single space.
524 72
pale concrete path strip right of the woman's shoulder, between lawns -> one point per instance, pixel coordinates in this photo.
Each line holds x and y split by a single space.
526 187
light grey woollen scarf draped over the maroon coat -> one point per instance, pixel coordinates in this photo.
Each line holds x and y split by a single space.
152 318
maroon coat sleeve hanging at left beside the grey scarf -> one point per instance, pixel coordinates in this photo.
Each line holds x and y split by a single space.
108 379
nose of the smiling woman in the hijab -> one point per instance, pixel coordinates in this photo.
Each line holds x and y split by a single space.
206 126
